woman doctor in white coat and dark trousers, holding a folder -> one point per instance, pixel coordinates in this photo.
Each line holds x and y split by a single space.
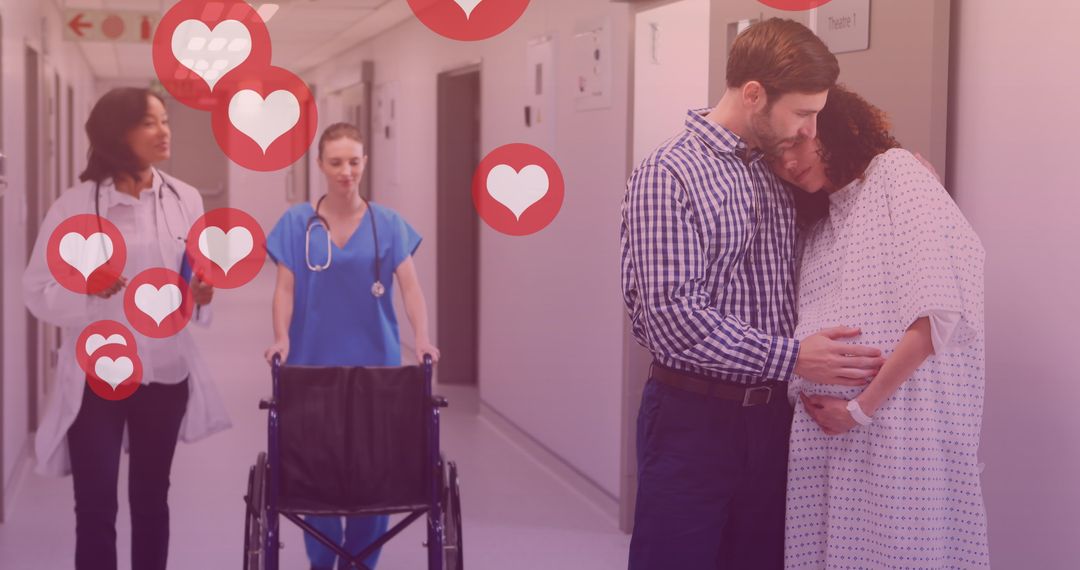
80 432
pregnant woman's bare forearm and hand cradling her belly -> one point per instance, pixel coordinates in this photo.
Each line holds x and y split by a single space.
832 414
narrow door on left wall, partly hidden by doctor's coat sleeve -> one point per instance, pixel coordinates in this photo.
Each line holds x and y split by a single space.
34 214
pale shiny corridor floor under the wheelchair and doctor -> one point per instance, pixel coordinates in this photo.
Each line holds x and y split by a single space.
518 515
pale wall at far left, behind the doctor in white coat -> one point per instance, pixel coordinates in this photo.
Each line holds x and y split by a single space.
22 28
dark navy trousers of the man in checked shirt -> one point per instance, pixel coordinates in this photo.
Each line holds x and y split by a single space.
712 481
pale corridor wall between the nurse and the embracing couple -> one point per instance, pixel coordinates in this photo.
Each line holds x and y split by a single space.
551 313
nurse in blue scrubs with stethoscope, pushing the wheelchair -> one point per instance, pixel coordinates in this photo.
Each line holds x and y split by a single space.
332 304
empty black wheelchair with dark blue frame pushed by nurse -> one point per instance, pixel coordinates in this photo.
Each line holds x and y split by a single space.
350 441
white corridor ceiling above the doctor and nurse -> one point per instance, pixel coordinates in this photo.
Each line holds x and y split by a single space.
305 33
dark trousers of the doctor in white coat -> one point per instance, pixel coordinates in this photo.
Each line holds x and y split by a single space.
153 415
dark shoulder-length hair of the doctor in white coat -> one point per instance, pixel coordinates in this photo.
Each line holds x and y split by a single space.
113 119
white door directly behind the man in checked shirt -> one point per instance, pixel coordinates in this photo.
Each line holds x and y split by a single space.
671 75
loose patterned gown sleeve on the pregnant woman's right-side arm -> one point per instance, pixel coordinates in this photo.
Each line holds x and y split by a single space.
939 259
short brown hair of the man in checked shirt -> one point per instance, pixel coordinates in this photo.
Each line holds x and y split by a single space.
785 57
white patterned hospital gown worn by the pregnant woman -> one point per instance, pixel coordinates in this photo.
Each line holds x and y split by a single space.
903 493
